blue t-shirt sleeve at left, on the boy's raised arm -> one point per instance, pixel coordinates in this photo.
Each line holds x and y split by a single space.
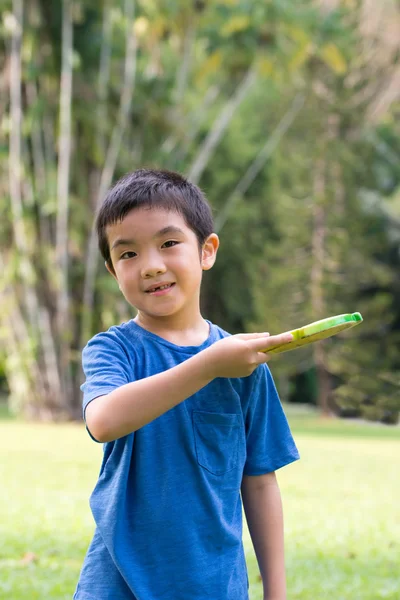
106 367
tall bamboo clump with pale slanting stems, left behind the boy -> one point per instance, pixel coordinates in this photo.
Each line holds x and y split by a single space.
90 92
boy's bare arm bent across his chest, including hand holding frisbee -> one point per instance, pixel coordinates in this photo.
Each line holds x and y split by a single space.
135 404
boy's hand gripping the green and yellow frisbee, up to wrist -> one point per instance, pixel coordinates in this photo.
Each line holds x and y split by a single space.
238 355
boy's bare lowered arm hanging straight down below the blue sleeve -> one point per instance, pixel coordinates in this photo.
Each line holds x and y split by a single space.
263 507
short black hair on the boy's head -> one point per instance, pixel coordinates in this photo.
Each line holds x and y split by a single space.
153 188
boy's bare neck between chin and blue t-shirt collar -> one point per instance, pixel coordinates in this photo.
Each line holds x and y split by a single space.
178 331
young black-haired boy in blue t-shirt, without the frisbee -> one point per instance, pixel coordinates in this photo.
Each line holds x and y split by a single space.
189 416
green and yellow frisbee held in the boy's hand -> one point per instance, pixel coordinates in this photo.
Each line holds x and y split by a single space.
319 330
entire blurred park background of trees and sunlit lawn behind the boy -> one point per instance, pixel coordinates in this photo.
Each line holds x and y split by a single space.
286 113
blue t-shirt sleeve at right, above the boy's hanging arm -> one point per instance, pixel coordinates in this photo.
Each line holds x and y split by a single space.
269 441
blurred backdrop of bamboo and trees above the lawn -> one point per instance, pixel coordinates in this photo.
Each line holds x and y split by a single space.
285 113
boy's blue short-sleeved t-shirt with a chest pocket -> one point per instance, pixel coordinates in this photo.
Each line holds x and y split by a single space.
167 503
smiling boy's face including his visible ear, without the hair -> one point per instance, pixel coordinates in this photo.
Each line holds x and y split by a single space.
154 248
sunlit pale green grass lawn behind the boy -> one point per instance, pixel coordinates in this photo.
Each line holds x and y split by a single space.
341 501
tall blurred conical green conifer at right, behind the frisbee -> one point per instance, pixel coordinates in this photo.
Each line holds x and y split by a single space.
331 242
